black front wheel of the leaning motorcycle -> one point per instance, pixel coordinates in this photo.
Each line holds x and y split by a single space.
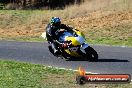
91 54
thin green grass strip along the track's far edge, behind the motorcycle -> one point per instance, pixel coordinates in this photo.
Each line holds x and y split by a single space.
100 40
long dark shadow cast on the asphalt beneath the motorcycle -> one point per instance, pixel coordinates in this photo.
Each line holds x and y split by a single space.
99 60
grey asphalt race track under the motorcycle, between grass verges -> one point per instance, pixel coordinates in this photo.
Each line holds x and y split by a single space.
114 60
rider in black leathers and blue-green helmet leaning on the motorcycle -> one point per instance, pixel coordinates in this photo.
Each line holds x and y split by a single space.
53 30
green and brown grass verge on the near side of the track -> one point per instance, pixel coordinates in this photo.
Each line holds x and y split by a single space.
25 75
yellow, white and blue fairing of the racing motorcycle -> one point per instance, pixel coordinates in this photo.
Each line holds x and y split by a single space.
76 39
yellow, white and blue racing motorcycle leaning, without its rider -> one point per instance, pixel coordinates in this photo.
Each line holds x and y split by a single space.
73 45
